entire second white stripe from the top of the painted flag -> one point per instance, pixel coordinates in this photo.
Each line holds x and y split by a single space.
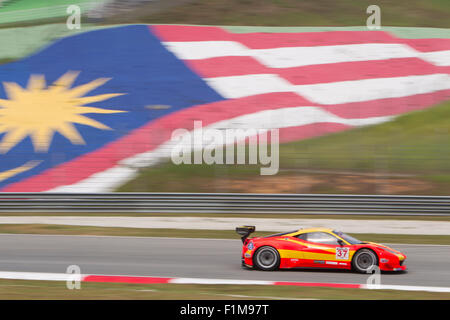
333 92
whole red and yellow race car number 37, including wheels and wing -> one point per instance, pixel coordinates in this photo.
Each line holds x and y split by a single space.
316 248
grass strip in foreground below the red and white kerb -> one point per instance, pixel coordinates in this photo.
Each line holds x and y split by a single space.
45 290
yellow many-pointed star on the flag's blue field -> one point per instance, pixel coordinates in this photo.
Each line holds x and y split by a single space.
39 110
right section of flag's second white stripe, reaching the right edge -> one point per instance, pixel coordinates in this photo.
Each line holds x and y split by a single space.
373 89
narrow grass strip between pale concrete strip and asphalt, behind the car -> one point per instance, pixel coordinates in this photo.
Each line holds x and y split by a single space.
189 233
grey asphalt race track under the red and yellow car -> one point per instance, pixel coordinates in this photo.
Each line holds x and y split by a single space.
428 265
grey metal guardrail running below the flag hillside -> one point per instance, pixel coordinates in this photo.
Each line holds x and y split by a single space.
225 203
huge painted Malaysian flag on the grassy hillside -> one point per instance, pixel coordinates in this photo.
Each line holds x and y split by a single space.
86 112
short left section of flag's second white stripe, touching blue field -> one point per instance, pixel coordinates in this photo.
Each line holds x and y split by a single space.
248 85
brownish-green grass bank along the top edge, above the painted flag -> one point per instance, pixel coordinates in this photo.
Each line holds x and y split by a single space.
431 13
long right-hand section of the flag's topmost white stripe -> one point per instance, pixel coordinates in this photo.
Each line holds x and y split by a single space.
304 56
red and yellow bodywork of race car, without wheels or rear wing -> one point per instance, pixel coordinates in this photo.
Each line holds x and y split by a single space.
298 253
